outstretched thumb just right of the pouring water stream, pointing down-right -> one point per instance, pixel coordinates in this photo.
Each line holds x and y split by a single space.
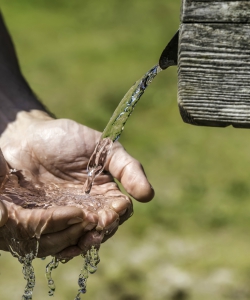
130 173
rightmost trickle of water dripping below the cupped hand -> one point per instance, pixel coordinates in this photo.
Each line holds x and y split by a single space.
91 260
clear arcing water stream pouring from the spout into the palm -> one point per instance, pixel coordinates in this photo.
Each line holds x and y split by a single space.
116 125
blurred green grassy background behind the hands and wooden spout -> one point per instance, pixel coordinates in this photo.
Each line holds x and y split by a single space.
192 240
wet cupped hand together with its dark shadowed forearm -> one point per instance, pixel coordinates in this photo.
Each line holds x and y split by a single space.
49 151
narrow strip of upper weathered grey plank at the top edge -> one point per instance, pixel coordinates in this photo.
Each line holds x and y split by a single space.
211 11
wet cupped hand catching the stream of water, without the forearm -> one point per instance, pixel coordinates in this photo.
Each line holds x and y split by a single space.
57 151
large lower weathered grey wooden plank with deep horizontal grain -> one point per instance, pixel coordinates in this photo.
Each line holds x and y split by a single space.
214 74
